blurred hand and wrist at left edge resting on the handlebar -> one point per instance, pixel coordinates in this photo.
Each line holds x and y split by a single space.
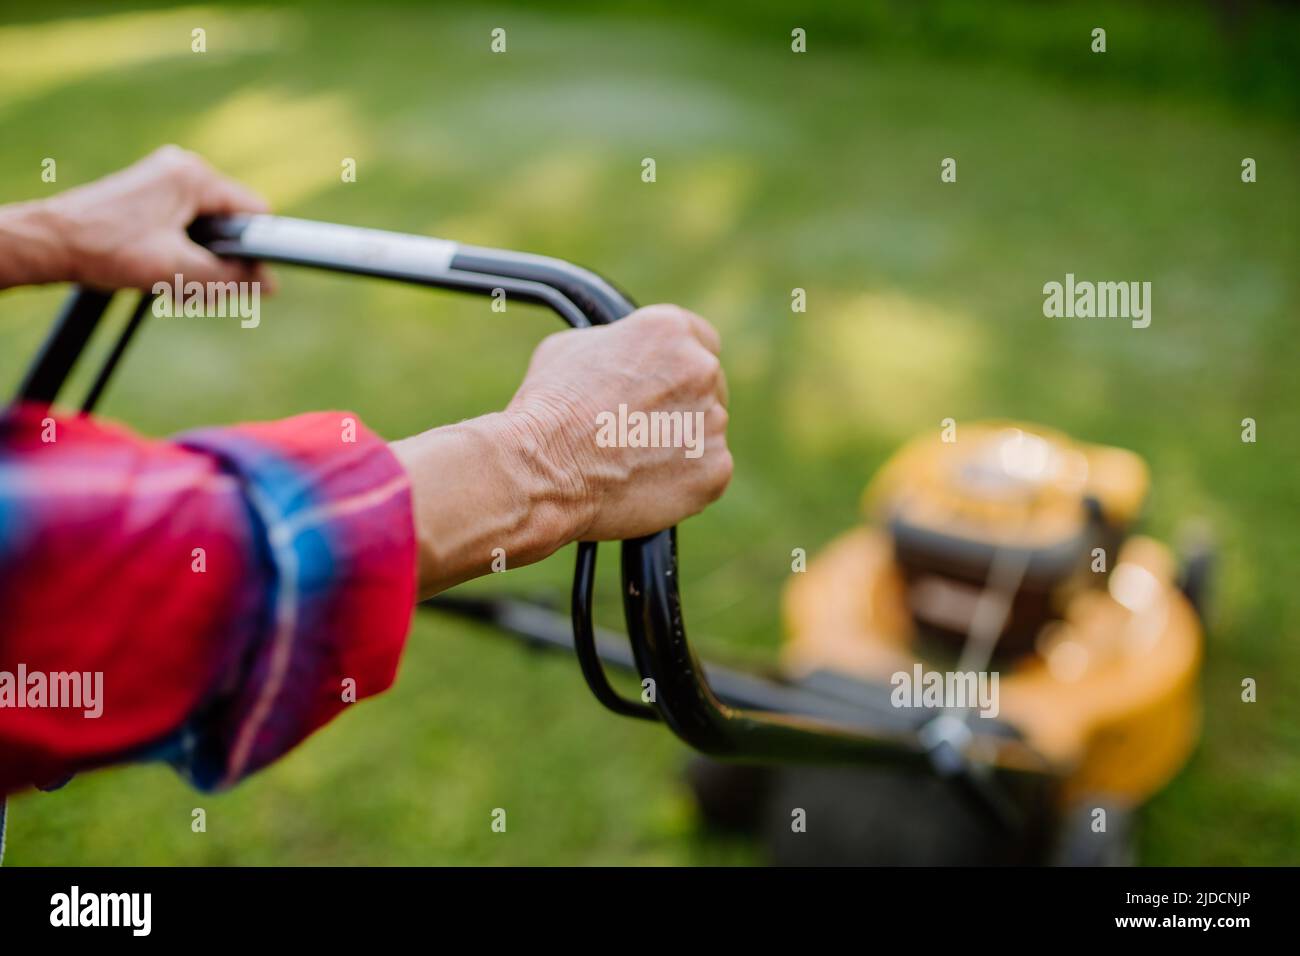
128 230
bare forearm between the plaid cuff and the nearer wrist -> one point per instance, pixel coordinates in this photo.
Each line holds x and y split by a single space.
488 494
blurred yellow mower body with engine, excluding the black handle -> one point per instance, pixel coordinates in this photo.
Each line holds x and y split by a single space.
1099 651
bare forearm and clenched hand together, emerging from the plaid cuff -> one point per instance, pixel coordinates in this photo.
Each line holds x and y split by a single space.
517 486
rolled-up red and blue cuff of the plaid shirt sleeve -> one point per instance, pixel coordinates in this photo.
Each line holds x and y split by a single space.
332 508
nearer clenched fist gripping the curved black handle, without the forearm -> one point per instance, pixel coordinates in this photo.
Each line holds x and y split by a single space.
660 360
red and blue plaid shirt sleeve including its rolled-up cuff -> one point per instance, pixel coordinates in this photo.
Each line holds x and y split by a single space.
227 592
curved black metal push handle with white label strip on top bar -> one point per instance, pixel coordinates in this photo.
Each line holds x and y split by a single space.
679 690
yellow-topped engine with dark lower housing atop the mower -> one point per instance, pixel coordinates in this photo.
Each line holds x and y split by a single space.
1054 512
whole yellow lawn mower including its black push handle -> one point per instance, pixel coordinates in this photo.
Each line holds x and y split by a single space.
1006 553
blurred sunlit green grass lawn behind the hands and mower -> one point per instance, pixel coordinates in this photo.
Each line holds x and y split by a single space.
774 171
